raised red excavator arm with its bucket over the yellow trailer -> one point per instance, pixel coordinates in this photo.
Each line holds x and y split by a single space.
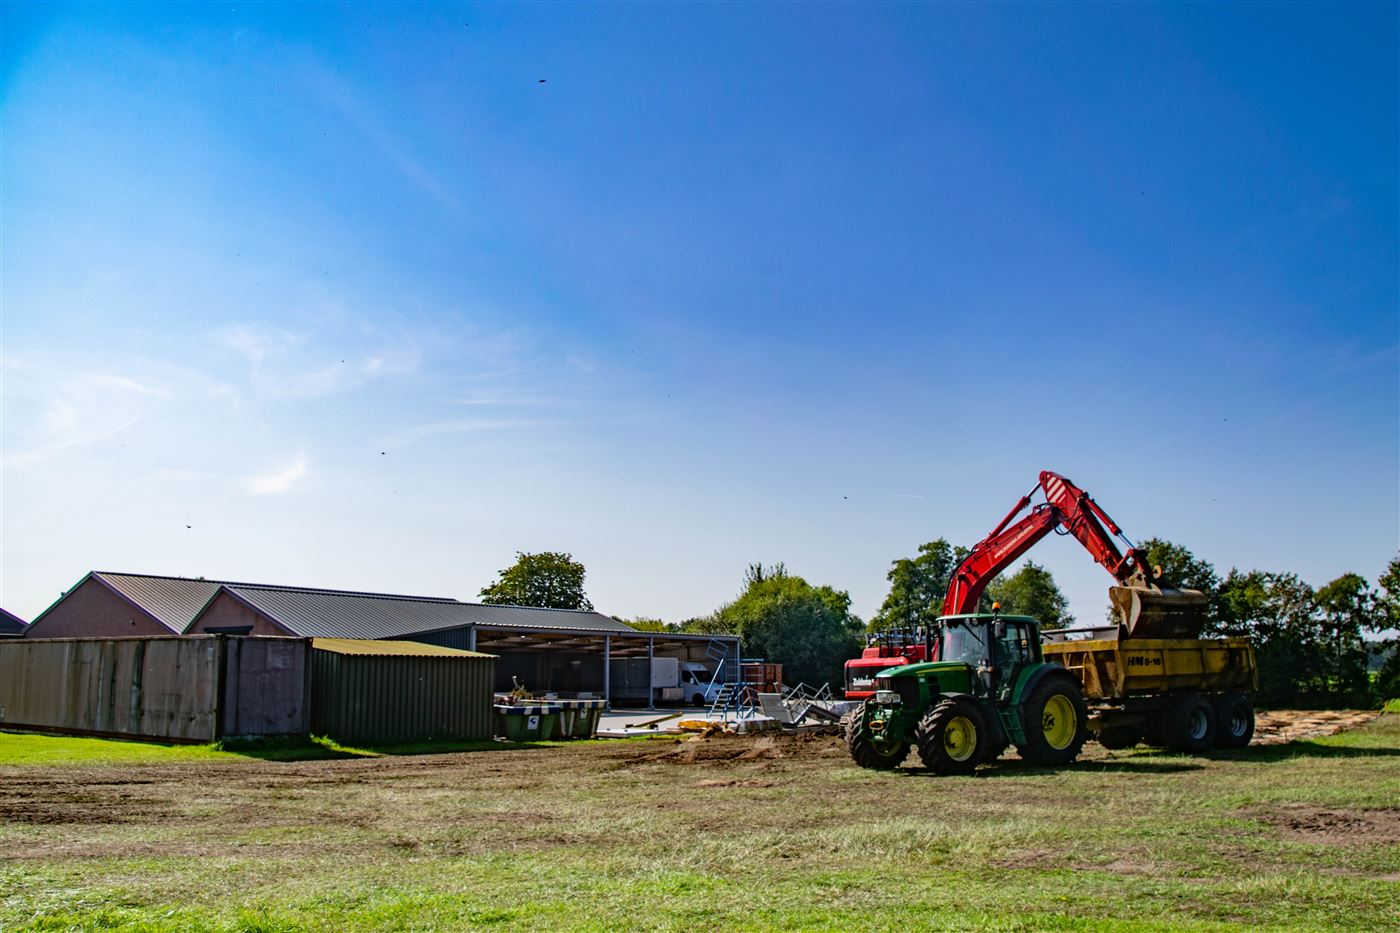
1146 606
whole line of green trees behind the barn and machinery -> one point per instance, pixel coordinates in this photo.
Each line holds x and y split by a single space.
1311 644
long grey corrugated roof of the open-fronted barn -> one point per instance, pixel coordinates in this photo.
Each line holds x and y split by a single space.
359 616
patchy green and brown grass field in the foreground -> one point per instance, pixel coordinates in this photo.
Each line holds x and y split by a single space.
723 834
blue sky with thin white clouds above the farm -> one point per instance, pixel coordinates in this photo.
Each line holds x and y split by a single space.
377 296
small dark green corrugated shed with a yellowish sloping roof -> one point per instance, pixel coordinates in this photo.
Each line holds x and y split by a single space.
398 691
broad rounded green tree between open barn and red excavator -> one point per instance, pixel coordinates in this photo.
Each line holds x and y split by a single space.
786 620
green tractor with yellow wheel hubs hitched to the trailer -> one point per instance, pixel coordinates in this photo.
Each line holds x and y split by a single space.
992 689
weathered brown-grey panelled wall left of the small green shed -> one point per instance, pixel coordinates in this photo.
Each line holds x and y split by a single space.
152 687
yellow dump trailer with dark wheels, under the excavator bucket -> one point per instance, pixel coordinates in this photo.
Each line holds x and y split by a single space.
1185 694
